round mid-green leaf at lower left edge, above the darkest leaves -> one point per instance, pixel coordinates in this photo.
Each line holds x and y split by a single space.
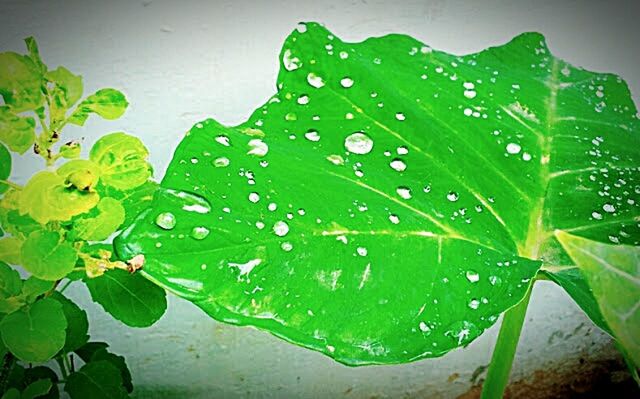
36 333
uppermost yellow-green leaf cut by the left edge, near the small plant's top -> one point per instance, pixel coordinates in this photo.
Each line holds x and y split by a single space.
20 82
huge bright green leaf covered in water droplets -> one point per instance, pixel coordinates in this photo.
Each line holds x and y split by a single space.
380 206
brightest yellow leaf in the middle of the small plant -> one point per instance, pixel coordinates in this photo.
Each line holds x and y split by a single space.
46 198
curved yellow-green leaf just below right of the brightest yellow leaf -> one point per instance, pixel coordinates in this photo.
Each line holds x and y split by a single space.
110 216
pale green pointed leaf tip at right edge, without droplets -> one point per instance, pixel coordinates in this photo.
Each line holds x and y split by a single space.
613 273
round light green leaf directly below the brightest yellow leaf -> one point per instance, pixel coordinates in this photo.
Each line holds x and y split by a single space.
47 257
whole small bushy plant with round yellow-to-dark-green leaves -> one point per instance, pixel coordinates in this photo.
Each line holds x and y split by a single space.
54 232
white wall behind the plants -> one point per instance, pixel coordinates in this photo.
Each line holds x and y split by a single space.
179 62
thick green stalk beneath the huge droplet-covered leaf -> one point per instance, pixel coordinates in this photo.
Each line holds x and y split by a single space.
505 350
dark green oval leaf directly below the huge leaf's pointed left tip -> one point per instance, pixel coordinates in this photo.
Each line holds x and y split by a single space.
129 298
